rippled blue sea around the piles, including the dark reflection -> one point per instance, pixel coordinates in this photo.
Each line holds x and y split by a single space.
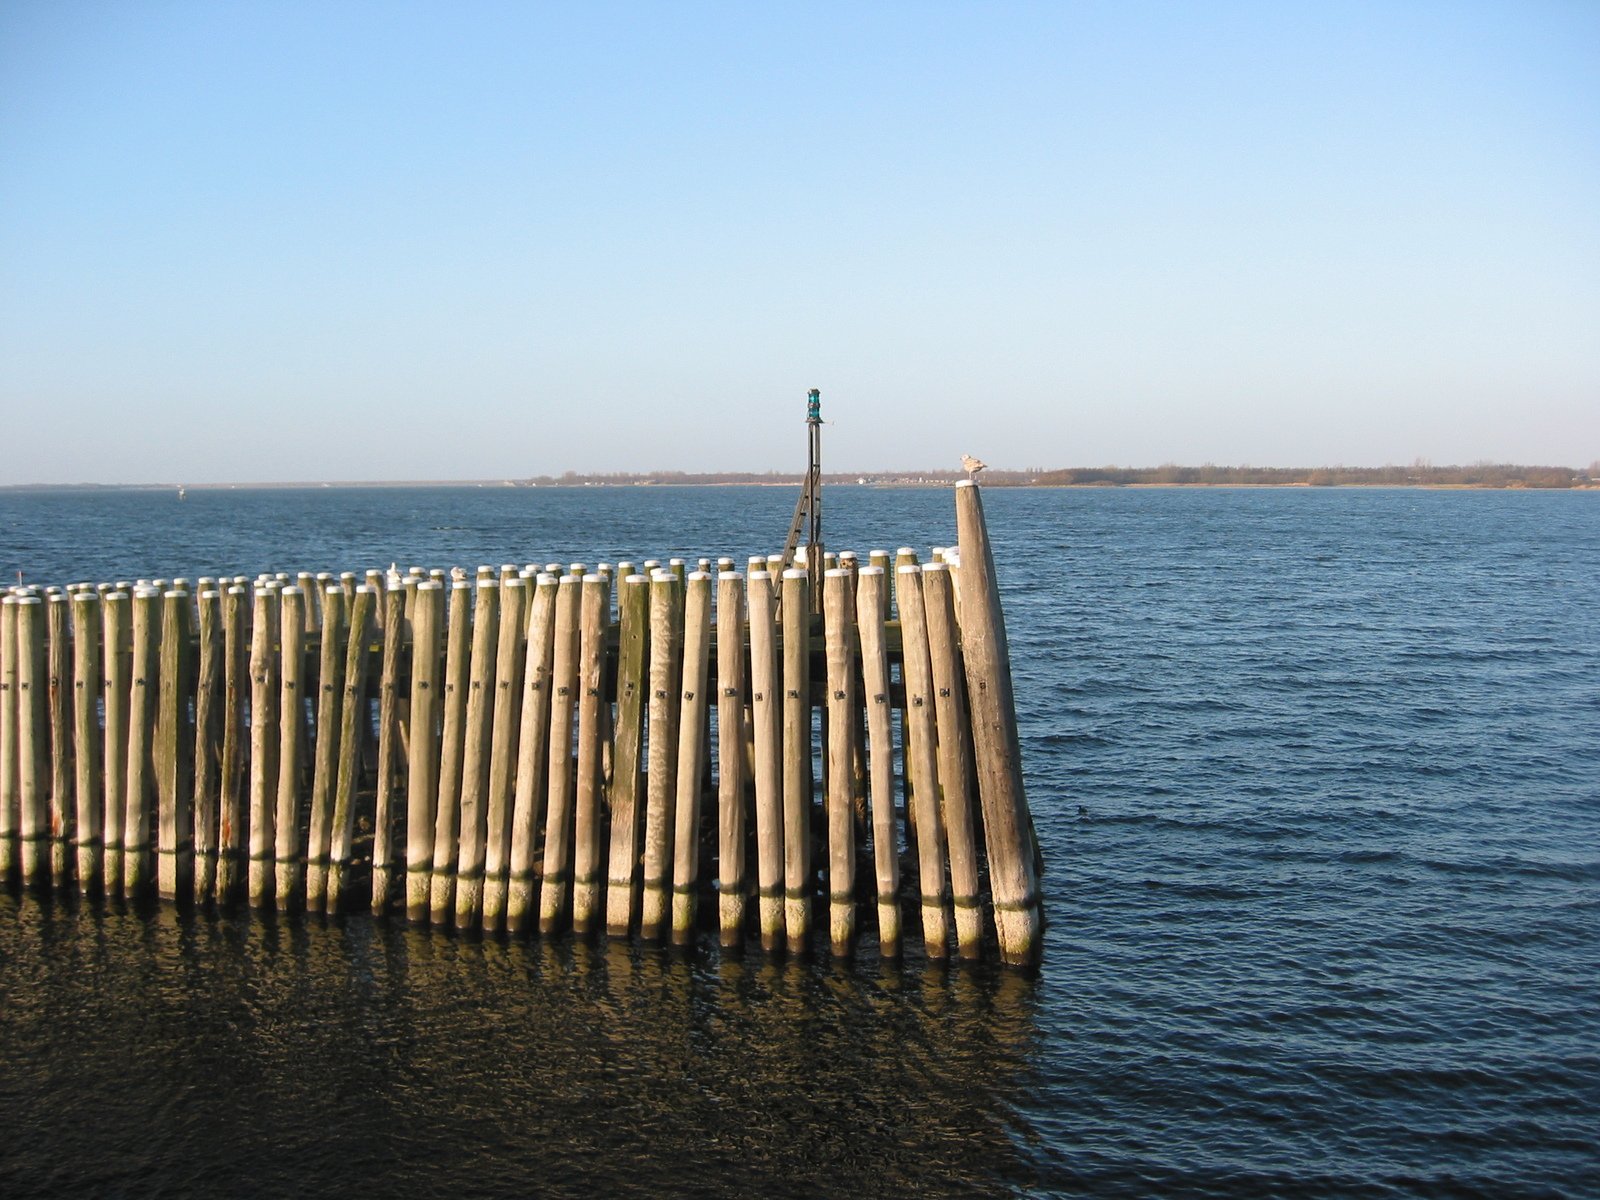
1318 780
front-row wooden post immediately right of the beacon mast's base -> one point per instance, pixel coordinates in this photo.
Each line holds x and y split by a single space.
839 618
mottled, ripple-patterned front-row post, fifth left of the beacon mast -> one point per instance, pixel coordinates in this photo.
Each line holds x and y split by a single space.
666 639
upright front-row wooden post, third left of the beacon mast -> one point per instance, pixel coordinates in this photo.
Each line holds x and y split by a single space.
730 756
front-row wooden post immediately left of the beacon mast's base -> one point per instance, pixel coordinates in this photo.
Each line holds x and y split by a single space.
798 754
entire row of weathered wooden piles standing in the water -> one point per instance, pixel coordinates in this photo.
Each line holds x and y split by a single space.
550 750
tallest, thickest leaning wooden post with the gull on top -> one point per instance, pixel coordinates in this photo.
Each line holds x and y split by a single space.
1009 828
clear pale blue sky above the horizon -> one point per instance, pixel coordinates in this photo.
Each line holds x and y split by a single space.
478 241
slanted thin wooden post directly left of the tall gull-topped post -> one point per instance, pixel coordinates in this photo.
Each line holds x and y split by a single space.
954 759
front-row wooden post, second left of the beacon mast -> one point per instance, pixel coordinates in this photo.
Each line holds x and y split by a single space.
766 714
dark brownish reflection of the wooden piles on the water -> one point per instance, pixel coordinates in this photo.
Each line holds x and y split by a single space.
246 1055
